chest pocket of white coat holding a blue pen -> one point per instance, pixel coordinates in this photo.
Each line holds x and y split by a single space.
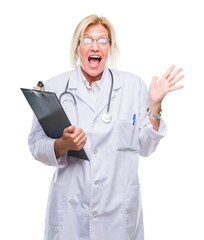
127 135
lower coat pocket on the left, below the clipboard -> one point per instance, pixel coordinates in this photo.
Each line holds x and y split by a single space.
57 204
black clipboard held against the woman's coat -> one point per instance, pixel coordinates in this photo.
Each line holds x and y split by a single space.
50 115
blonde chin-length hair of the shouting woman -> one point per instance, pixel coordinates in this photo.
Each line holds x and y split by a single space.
79 32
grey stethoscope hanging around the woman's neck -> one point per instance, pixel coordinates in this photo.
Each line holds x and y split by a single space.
106 117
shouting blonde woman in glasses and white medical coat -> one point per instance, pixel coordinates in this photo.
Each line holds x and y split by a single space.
100 199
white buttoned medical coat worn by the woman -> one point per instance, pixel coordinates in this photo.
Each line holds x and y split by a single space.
98 199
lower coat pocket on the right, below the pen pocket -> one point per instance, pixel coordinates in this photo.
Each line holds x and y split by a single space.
131 206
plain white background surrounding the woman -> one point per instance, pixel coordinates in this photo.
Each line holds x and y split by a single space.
152 35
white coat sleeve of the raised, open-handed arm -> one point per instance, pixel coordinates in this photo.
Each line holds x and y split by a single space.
148 137
